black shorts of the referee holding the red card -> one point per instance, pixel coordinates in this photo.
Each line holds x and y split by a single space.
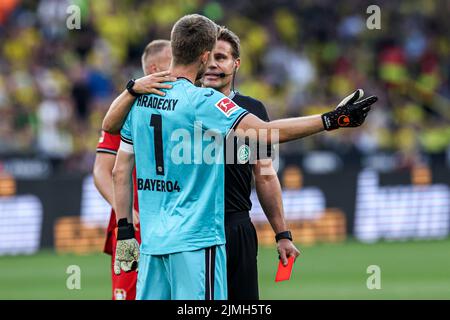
242 251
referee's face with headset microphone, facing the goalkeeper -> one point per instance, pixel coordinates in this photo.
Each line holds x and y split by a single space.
221 62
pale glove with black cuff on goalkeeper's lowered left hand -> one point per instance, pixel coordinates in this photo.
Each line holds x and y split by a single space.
127 248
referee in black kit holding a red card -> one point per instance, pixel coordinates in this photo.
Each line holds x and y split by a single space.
242 242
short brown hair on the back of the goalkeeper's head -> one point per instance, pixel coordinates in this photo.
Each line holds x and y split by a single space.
191 36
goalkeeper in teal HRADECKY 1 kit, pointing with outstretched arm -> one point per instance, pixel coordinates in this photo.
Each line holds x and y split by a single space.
180 178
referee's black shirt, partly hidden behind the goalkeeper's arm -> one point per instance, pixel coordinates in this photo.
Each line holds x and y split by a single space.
238 177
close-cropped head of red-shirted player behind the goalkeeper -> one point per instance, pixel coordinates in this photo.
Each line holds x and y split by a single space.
156 57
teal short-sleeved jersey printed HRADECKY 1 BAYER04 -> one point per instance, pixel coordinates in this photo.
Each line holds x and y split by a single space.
178 145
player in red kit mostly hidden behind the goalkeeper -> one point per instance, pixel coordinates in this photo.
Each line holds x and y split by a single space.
156 58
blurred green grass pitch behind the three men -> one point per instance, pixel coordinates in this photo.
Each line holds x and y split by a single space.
409 270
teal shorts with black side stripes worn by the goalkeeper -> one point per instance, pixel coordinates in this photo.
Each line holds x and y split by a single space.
189 275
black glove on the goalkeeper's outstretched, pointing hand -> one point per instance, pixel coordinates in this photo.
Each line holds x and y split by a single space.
350 112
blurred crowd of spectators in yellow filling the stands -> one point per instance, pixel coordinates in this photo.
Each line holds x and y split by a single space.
298 57
